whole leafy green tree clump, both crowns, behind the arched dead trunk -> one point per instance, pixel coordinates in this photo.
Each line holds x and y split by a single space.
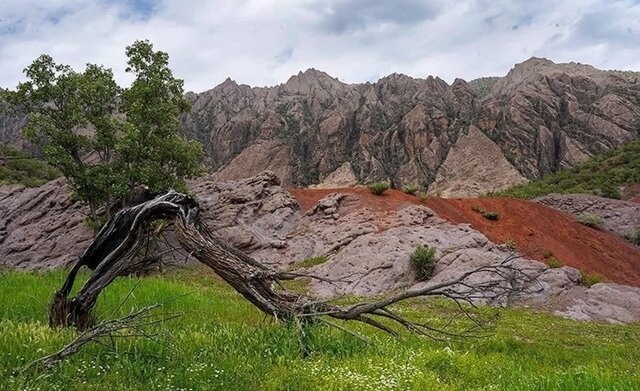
104 139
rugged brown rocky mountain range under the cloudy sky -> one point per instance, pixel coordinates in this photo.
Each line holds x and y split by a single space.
459 139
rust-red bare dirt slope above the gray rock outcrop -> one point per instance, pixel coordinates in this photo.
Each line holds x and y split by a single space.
537 230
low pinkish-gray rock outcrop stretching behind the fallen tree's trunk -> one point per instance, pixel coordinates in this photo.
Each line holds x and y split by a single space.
367 251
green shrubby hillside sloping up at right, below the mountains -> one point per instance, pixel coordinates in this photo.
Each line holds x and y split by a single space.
601 175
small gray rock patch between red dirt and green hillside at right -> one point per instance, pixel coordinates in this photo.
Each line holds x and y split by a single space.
619 217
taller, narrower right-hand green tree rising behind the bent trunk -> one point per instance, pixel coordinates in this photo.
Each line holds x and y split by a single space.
156 154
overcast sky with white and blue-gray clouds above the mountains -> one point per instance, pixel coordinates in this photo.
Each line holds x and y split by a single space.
263 42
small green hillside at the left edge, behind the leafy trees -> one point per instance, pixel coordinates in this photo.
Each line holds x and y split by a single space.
17 167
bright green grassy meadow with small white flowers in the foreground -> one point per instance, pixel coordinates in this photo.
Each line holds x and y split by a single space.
221 342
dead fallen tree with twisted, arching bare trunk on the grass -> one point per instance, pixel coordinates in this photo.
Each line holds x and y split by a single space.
114 253
